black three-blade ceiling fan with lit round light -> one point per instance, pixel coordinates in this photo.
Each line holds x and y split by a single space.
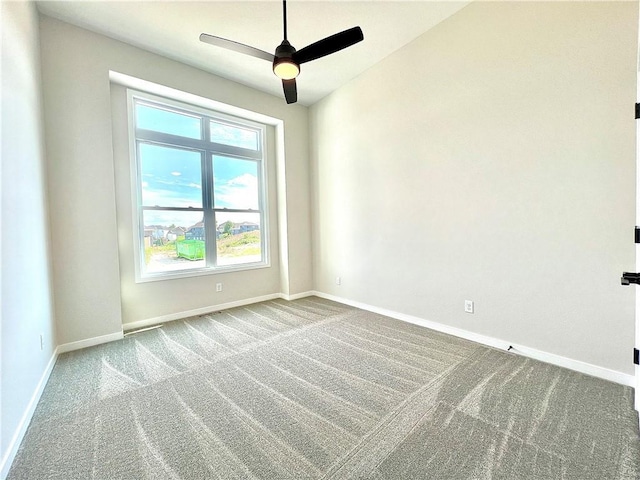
287 60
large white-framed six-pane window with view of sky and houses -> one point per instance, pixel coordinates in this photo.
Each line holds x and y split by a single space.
199 189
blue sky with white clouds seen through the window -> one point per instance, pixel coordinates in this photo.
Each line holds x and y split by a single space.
171 177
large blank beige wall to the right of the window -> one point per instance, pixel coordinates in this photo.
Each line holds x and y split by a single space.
492 159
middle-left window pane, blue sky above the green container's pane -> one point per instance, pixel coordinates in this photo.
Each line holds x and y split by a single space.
170 177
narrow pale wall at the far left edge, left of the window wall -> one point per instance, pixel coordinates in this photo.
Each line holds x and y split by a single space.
26 301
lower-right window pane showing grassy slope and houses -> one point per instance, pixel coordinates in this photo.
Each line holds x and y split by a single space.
238 238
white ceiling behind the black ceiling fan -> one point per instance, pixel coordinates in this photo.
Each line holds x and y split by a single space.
172 28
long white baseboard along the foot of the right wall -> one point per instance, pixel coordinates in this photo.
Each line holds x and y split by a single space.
576 365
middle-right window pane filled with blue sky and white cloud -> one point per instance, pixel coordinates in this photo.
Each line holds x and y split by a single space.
236 183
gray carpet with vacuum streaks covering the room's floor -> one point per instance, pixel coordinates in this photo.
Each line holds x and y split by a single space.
312 389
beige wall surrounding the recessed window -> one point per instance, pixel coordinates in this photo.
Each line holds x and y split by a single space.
95 290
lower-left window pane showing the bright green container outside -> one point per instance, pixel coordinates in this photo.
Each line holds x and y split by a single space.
173 241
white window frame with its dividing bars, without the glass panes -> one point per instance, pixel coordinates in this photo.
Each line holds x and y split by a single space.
209 149
